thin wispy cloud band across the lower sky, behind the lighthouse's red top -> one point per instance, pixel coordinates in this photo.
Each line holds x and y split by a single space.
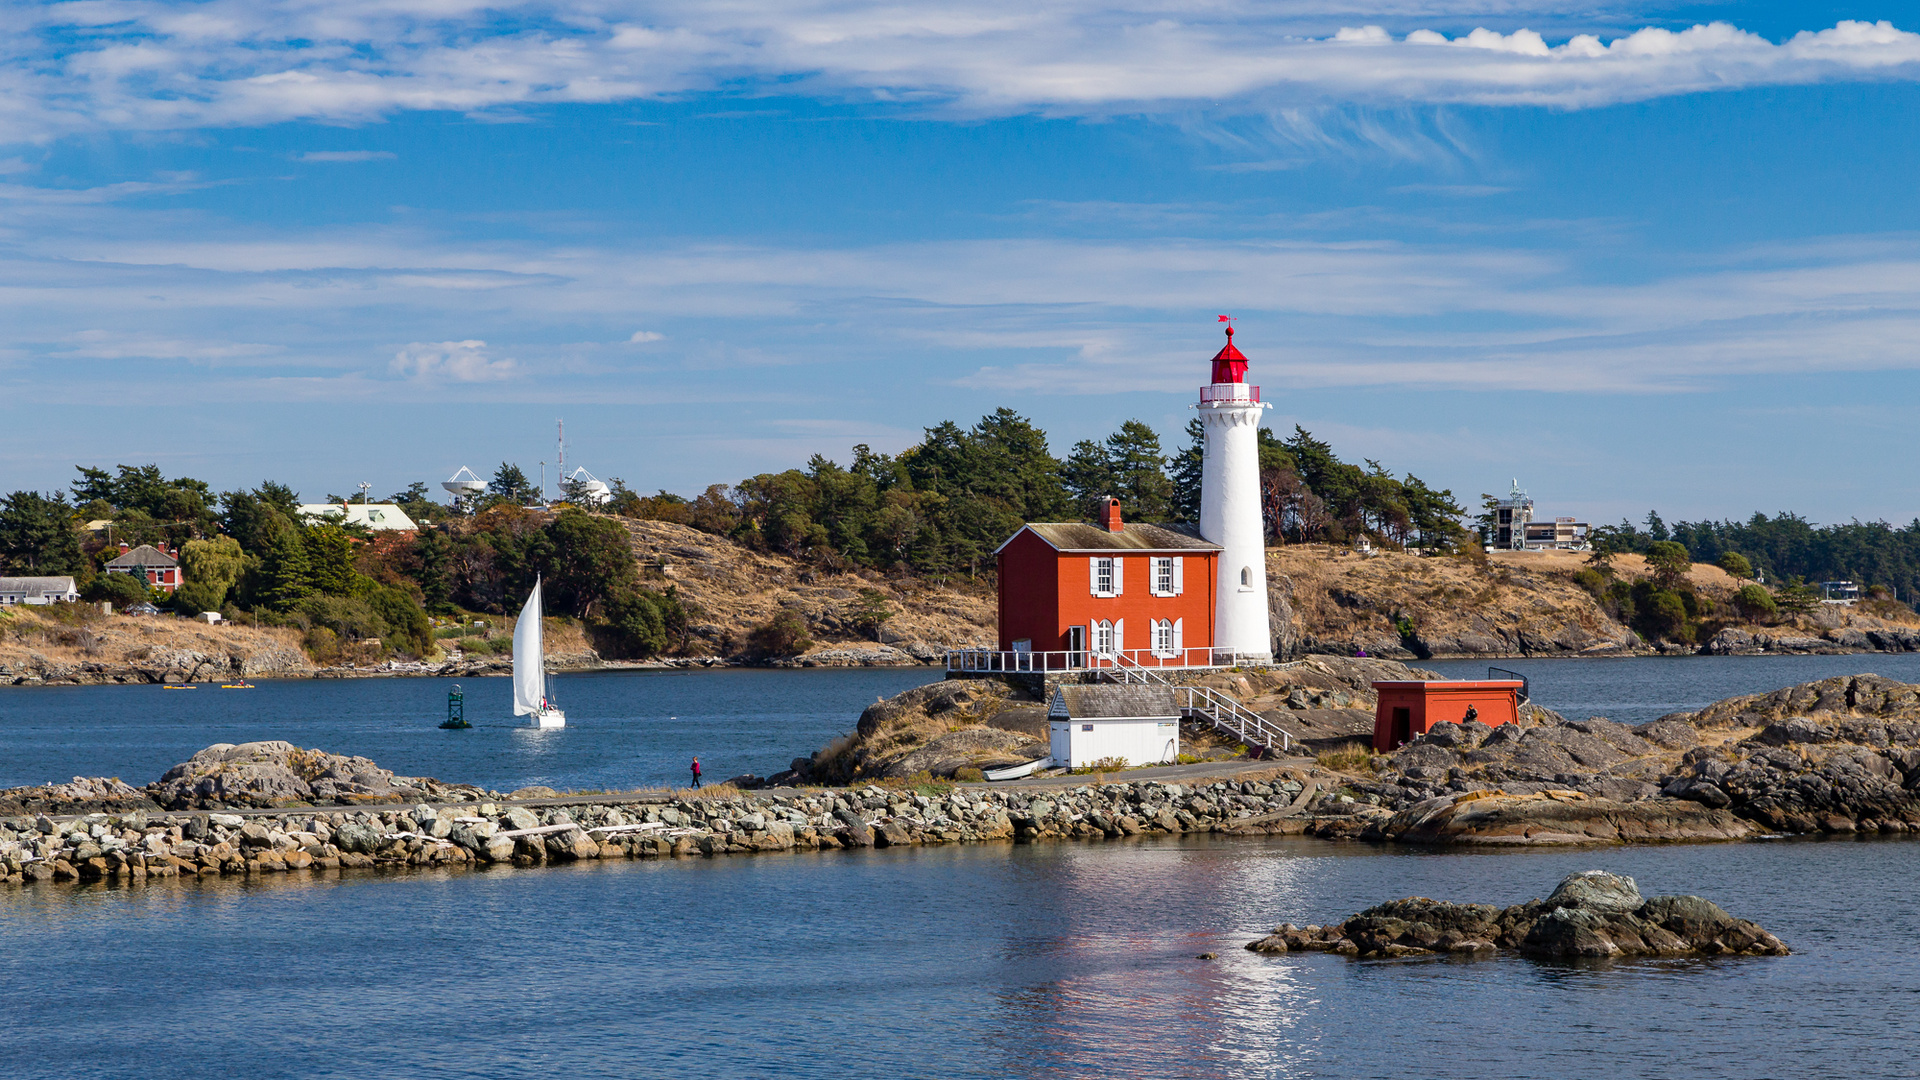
308 312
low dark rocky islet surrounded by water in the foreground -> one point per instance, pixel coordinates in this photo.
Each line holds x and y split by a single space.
1591 916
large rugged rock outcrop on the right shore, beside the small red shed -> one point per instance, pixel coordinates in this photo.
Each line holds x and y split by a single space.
1833 756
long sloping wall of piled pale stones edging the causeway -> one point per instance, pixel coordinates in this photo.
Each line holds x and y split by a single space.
145 845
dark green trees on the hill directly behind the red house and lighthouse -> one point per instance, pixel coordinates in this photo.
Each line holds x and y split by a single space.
946 504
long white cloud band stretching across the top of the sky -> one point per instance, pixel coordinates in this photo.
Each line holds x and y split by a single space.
233 62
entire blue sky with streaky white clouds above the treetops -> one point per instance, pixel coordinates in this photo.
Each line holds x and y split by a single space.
1639 257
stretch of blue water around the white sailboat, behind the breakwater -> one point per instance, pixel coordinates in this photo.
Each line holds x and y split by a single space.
623 729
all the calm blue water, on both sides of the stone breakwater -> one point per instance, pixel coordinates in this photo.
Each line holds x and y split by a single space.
1053 960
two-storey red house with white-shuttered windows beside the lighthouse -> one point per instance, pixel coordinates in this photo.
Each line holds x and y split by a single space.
1076 595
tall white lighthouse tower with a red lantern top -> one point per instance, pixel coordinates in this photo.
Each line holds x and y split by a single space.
1230 508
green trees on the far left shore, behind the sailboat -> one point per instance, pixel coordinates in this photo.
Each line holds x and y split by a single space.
252 554
